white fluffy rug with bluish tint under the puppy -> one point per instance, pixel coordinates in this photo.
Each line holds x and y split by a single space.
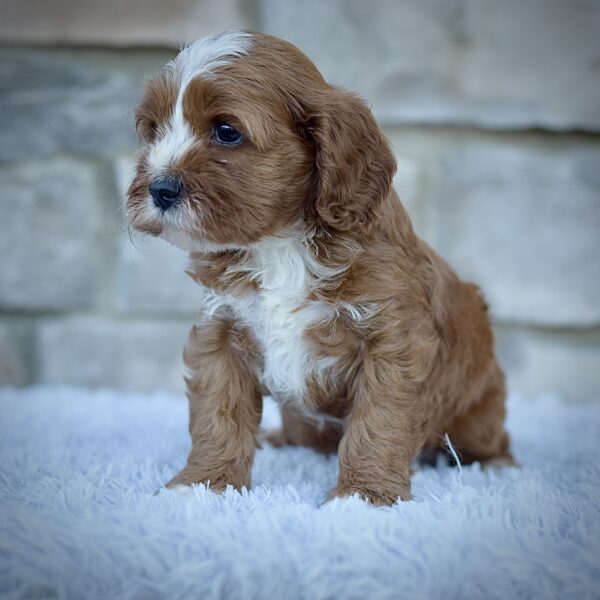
78 518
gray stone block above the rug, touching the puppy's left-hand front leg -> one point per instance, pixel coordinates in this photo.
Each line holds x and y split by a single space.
102 352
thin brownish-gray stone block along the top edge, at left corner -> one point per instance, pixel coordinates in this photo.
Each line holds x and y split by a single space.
131 23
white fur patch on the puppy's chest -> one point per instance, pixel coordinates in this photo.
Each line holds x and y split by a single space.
280 314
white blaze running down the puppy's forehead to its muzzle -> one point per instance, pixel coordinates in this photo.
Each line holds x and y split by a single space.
200 58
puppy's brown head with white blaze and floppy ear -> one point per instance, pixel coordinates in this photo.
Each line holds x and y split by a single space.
244 139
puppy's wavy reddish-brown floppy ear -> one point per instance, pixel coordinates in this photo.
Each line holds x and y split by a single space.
355 165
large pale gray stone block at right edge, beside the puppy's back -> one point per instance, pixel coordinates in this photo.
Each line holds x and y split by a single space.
523 223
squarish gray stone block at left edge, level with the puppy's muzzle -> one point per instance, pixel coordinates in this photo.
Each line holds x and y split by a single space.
51 243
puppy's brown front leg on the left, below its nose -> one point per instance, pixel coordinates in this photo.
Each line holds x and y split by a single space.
225 404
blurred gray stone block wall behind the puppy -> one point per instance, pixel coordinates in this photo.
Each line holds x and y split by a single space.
493 109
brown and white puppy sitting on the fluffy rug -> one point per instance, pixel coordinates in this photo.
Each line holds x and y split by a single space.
320 293
